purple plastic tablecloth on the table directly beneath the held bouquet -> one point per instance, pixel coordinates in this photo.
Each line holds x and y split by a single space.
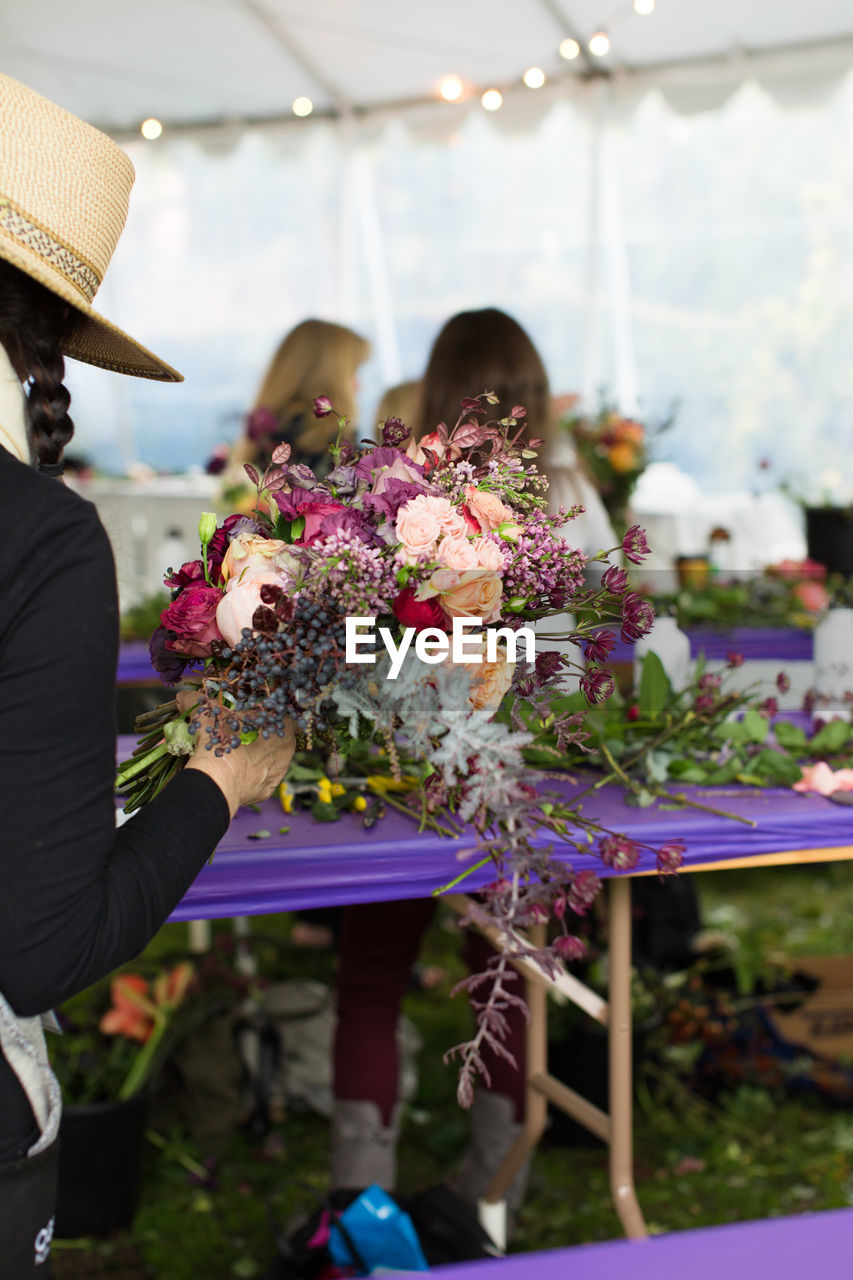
329 865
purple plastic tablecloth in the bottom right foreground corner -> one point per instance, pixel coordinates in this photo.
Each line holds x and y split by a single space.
781 1249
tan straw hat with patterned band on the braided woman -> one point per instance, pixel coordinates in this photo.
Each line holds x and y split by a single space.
65 191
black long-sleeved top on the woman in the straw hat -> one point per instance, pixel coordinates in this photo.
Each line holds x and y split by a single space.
77 897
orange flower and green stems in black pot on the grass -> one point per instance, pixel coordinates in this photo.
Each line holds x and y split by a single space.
106 1060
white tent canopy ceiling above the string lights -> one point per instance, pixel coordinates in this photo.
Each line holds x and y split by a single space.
215 62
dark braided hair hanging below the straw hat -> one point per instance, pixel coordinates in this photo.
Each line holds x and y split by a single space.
33 326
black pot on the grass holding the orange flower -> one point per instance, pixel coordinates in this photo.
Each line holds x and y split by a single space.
101 1167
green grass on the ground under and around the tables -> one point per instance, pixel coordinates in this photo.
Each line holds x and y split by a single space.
747 1155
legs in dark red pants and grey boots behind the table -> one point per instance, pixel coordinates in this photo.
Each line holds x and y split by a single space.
378 947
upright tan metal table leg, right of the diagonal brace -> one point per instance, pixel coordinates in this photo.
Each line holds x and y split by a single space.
622 1085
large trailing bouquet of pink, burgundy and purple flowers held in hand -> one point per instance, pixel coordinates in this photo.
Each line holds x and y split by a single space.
391 610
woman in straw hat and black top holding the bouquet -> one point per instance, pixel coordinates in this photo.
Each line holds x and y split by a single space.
77 898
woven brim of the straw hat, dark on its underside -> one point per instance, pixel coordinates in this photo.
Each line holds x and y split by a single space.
92 339
